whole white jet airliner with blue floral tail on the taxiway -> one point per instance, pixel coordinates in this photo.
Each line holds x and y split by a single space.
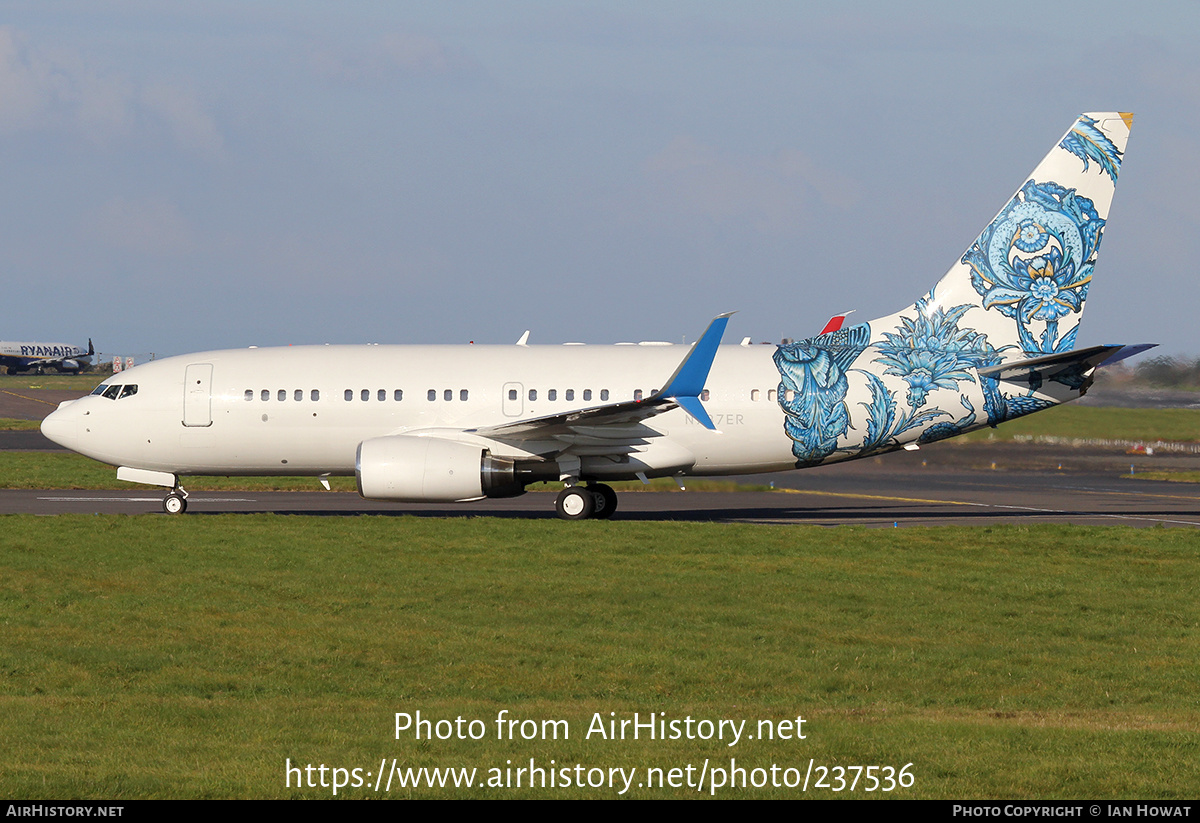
994 340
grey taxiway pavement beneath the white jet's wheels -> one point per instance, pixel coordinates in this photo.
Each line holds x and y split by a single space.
851 495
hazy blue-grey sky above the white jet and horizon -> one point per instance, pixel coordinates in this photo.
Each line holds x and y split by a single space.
190 176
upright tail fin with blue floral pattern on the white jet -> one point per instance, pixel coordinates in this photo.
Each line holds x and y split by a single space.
1024 281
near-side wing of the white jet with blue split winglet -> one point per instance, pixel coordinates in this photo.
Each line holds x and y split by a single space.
621 422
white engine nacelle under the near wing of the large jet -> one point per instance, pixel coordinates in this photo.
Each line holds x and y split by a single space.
431 470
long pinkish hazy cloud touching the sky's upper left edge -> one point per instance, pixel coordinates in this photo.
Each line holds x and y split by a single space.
45 92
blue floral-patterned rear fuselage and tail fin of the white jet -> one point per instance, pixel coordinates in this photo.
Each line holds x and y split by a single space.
1016 297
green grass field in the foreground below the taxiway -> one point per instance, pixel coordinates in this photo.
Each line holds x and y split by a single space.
152 657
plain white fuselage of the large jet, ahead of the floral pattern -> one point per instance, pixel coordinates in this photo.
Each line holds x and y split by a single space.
302 411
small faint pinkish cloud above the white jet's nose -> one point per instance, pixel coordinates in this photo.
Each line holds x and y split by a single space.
154 227
